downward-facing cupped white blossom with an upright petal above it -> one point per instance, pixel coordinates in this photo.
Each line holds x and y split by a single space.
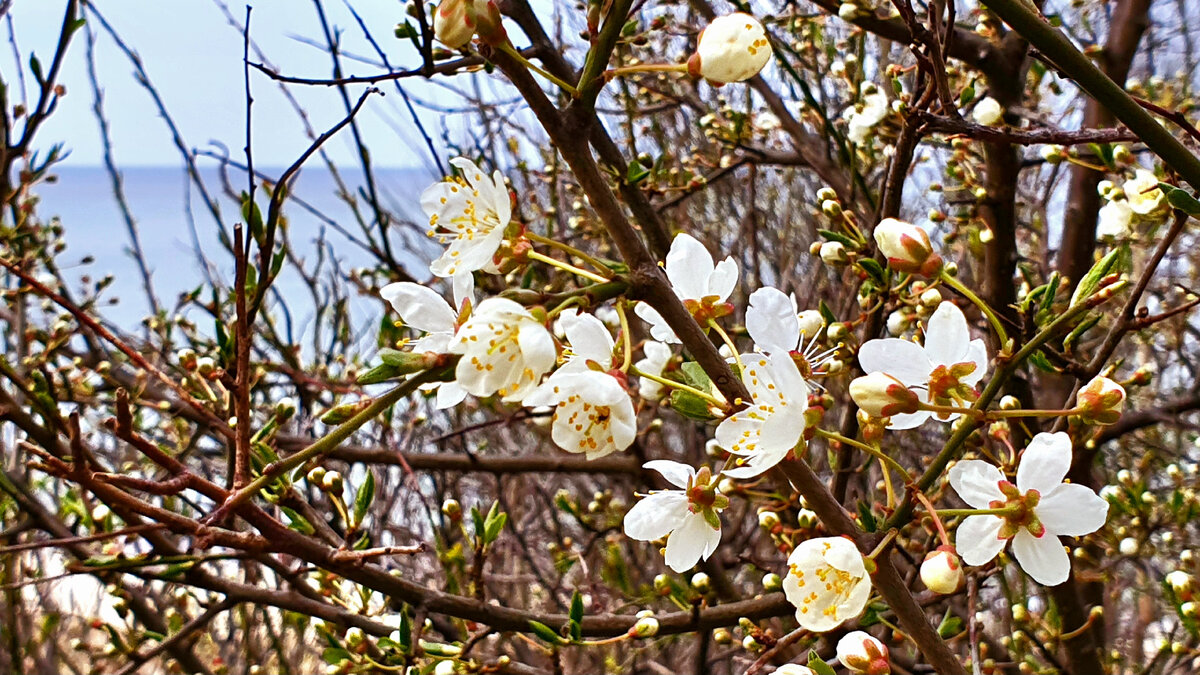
593 411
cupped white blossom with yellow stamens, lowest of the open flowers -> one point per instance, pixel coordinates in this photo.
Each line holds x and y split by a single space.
827 582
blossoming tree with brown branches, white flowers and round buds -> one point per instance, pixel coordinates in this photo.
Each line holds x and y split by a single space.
821 379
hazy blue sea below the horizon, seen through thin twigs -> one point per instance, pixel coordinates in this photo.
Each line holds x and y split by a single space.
159 200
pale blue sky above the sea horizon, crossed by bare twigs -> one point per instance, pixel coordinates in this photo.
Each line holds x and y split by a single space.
195 58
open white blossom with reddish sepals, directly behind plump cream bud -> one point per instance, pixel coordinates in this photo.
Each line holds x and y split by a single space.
945 371
